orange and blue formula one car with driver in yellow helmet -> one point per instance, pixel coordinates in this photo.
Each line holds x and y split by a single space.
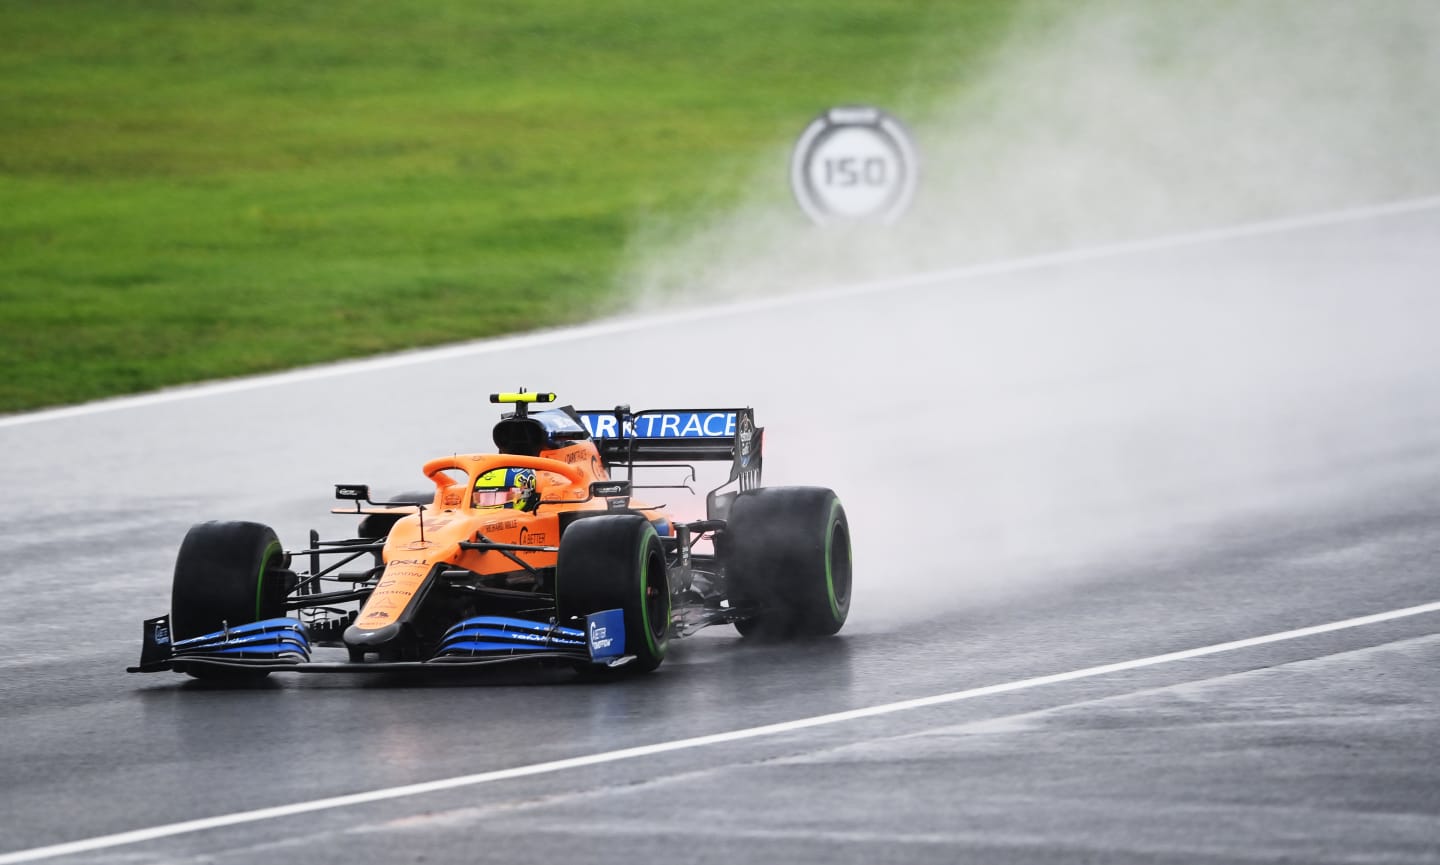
538 552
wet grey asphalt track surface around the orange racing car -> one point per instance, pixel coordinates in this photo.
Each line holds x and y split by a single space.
1048 470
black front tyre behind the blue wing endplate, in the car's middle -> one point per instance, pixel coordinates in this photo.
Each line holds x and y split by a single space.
617 562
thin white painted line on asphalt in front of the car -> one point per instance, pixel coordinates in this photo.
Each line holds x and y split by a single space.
680 745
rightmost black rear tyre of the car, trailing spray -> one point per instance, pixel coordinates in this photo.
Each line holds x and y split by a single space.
787 552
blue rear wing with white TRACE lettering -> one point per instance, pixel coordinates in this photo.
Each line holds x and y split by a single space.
679 435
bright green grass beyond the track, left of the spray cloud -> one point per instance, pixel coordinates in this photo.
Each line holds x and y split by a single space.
207 189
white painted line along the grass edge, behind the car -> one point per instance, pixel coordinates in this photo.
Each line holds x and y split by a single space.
620 326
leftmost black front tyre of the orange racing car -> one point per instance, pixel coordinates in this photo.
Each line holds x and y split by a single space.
227 575
